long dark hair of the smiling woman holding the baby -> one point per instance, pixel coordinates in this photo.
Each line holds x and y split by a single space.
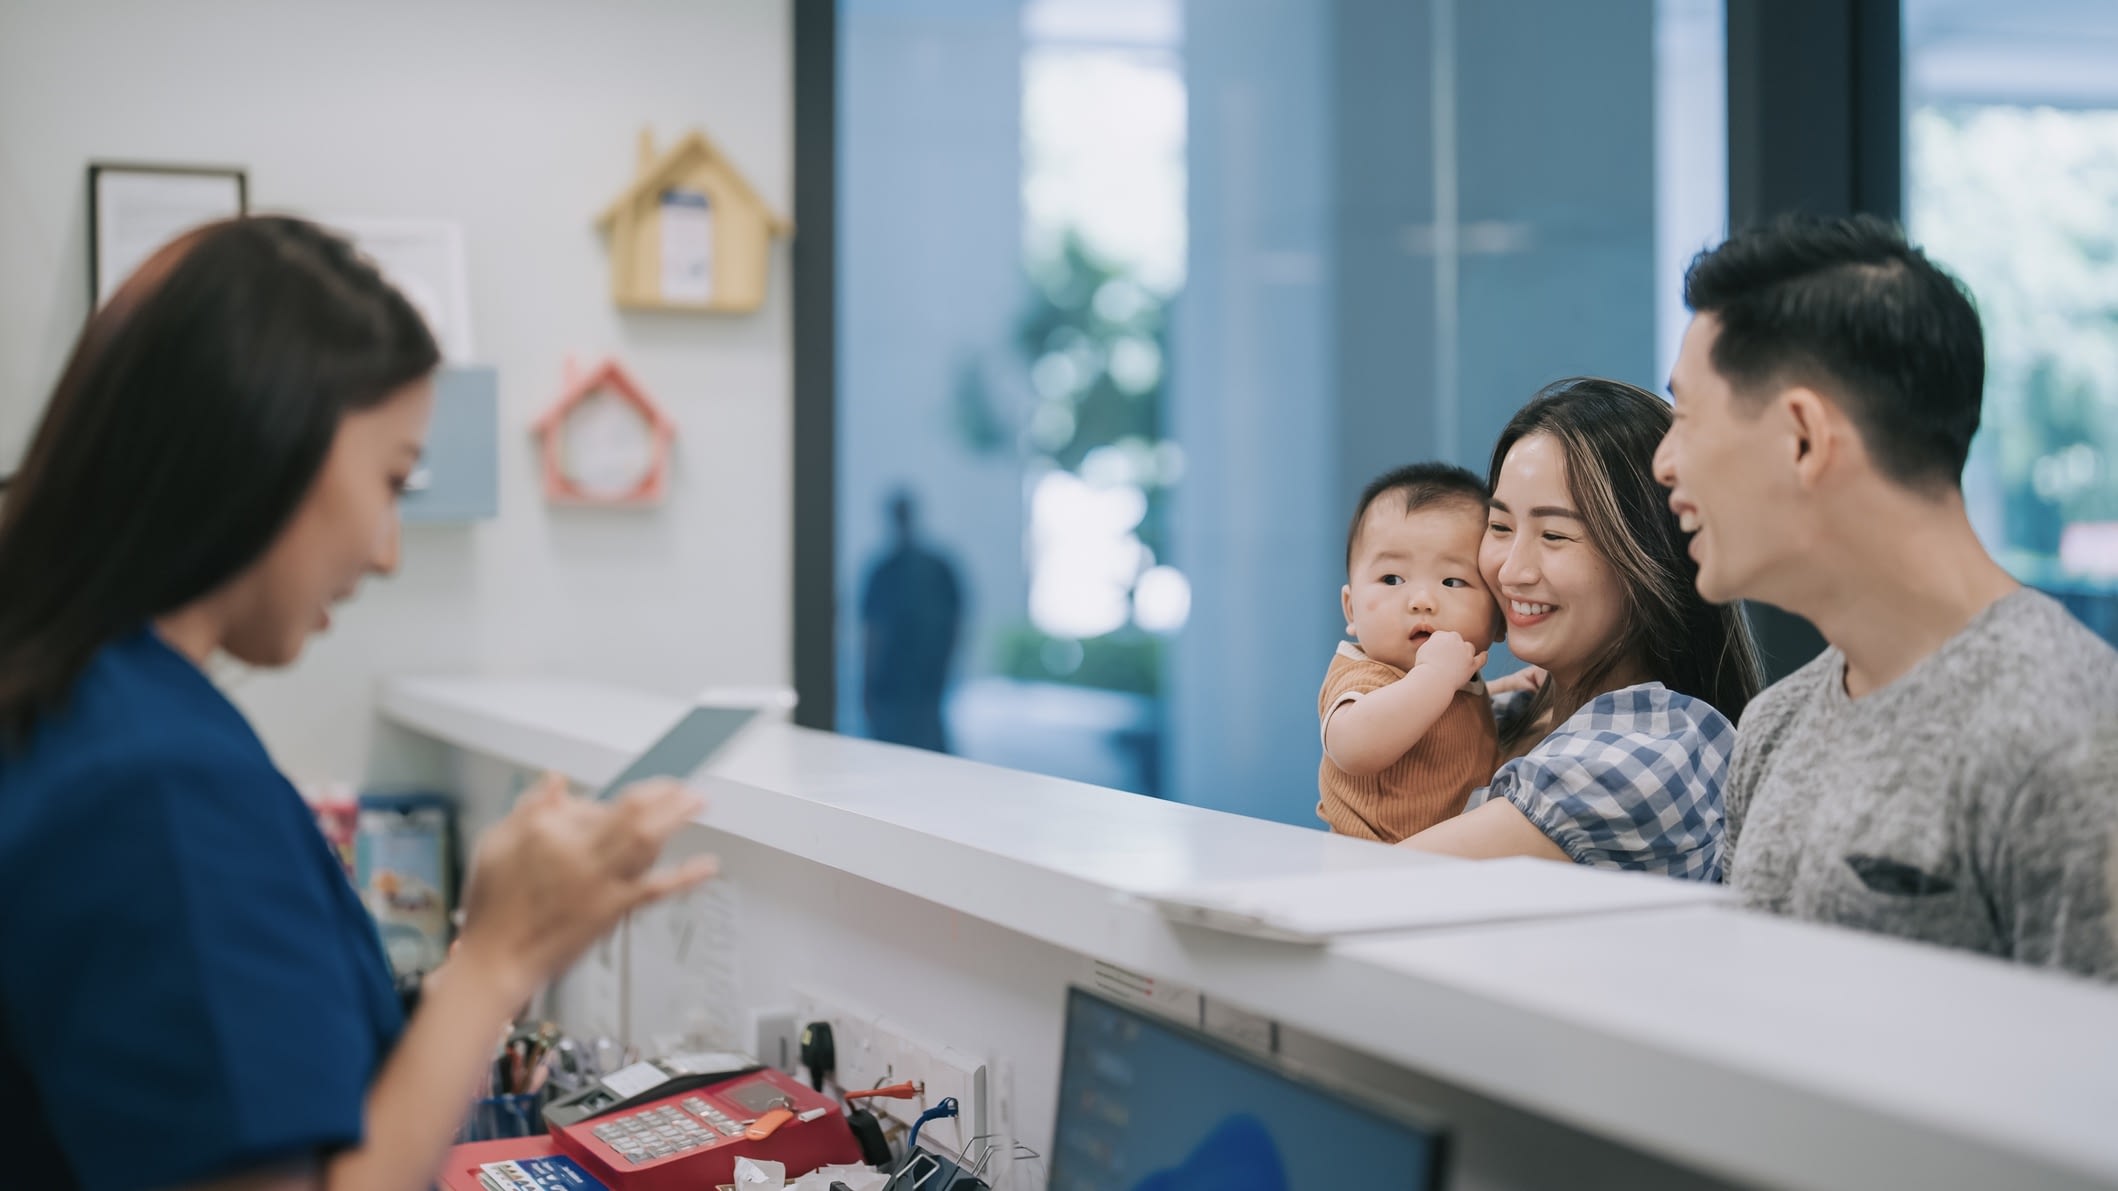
1609 433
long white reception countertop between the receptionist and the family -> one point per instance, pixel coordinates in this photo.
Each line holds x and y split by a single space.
1761 1050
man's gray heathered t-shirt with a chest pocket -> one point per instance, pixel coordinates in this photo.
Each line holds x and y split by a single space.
1971 804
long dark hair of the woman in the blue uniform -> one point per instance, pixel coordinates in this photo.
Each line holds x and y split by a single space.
187 429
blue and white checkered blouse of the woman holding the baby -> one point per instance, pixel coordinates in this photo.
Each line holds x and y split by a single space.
1632 781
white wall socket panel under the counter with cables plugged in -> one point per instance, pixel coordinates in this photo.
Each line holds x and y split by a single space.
876 1052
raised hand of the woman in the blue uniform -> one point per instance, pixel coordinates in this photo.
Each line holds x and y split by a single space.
560 872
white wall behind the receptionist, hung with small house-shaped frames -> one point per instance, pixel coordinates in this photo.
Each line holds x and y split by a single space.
518 120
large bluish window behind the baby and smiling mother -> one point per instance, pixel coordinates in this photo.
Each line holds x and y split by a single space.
1136 296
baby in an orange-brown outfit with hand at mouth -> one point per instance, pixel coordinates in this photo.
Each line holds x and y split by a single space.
1407 724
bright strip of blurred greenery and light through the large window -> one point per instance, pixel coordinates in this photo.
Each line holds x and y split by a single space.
1102 262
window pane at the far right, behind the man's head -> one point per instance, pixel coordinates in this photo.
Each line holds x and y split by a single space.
2011 183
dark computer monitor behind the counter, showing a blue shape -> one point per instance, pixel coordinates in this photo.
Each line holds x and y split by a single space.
1147 1105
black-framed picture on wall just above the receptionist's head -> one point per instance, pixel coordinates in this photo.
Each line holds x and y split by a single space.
139 209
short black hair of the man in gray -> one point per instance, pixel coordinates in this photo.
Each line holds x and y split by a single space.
1852 310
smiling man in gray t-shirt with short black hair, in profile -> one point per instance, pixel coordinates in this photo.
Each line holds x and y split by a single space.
1948 770
